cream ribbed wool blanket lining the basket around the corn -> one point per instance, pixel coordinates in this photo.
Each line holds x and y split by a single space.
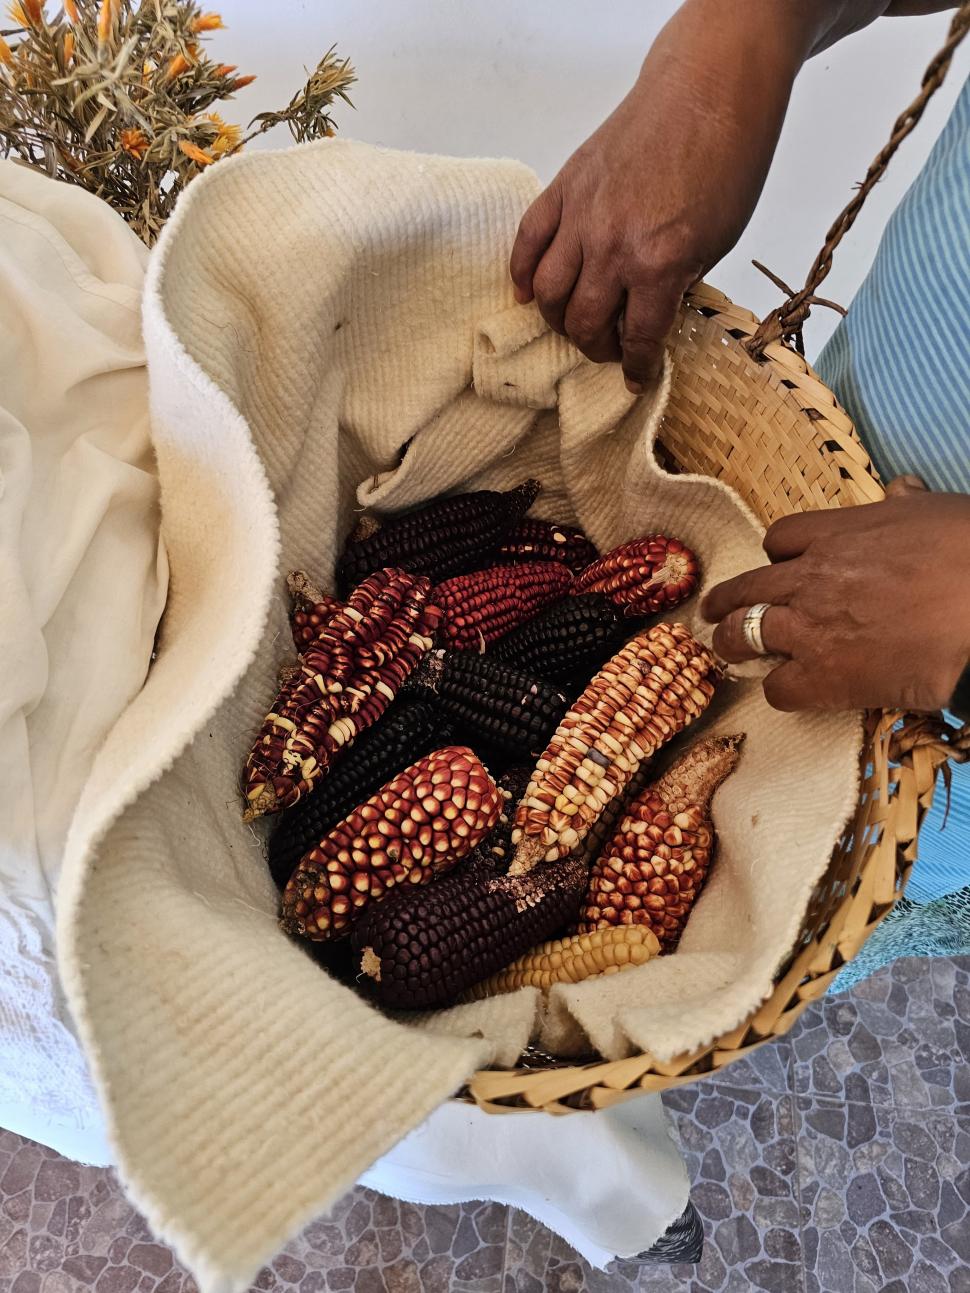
307 315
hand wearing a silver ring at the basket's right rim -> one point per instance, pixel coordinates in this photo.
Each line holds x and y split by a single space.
871 606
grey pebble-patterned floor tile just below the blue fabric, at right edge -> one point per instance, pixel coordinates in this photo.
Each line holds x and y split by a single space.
901 1040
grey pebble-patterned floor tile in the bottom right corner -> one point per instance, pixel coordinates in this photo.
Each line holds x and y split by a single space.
884 1211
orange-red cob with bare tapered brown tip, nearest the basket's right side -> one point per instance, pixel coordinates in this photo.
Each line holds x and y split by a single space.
659 859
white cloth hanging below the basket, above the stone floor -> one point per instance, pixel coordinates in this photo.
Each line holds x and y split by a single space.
610 1184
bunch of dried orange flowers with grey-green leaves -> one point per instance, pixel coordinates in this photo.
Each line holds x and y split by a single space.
95 86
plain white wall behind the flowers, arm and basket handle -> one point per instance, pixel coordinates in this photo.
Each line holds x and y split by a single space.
532 80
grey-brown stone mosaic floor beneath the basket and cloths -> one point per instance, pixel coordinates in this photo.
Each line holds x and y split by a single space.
836 1162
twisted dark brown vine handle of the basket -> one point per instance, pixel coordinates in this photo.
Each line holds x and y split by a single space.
786 324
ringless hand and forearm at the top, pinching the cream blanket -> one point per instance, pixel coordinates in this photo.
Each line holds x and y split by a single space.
667 186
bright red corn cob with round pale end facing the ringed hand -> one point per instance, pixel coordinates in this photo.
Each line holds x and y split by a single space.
647 576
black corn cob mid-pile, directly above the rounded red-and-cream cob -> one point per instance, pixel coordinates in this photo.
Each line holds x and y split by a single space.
514 714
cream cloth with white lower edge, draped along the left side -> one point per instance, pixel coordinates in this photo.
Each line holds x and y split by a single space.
82 588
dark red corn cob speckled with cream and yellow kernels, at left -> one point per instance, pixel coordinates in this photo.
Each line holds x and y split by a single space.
345 683
